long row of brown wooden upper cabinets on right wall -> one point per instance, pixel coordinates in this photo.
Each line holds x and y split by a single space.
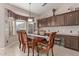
66 19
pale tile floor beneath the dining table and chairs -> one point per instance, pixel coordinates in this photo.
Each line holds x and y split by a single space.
13 50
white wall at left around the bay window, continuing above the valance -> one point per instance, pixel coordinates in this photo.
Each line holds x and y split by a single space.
4 26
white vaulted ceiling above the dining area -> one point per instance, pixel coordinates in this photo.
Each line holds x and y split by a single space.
38 9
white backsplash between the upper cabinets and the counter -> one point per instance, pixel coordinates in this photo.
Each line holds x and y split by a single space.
67 30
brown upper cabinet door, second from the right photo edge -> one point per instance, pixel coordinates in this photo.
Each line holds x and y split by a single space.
70 18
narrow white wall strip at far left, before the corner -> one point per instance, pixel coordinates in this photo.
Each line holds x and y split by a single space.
2 27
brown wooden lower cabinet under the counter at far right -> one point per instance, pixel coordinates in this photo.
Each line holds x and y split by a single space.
72 42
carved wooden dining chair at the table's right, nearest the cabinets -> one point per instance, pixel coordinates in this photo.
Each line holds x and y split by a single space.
45 47
